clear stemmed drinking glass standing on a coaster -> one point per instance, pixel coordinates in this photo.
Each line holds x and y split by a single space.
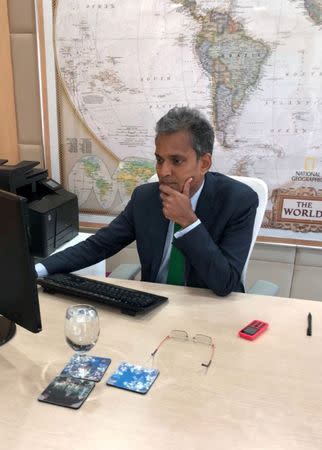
81 331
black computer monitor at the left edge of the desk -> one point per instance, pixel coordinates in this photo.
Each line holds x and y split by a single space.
18 290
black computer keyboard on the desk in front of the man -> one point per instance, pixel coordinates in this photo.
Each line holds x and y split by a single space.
129 301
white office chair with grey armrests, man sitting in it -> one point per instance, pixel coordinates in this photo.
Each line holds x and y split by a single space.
260 287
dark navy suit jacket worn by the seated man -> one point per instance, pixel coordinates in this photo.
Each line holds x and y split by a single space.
215 251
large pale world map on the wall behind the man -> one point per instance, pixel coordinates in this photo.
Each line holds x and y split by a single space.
253 67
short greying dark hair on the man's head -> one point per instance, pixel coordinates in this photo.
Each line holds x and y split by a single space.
192 121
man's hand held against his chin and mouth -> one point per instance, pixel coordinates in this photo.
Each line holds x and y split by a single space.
177 205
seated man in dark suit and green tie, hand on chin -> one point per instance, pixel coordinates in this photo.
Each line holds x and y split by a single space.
195 218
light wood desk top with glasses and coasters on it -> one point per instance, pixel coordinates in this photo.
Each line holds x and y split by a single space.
259 395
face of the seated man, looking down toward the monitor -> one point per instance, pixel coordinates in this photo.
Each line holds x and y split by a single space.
177 161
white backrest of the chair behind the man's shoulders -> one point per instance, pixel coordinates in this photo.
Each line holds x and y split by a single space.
260 187
